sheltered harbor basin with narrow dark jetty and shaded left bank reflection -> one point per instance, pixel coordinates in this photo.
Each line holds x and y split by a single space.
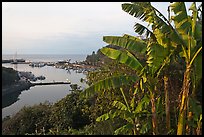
60 81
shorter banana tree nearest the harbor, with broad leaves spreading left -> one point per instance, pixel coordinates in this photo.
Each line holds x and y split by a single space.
146 72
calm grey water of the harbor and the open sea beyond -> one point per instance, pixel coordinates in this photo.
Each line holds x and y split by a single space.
11 104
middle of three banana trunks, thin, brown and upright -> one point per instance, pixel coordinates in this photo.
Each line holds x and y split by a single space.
167 107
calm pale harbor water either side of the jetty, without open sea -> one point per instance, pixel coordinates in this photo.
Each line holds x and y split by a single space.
37 94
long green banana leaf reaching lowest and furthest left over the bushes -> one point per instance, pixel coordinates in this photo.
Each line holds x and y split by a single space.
108 83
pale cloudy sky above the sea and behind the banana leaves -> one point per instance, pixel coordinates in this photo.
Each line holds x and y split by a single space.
64 27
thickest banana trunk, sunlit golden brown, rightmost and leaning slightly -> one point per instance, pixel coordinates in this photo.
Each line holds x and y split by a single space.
184 98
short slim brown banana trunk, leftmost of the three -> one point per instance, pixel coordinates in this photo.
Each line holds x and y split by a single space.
154 117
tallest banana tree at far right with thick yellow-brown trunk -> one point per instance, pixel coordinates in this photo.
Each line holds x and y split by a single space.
185 37
